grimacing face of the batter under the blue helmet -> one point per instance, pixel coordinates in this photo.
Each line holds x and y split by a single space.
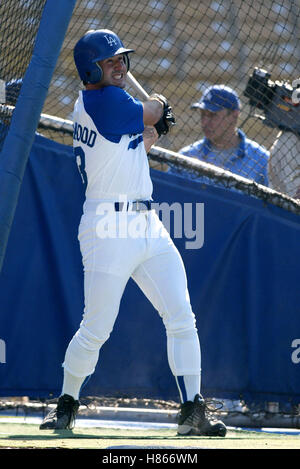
114 71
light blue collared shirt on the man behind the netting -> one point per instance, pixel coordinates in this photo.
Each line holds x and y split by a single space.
248 159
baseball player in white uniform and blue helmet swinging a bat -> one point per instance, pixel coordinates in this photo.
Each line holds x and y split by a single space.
120 236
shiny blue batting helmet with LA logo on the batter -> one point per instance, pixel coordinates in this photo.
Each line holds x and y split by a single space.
97 45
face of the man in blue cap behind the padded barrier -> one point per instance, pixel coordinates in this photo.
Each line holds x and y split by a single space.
218 126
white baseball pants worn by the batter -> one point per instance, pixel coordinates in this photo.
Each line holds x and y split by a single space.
116 246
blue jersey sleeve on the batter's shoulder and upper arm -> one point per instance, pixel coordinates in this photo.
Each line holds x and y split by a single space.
114 112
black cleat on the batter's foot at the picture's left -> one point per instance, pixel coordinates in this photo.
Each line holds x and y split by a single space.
63 416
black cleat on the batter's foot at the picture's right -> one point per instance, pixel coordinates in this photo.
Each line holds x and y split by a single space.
193 421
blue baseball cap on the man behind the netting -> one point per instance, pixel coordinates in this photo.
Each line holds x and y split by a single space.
218 97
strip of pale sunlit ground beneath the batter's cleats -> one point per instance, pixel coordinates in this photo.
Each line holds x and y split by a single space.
22 435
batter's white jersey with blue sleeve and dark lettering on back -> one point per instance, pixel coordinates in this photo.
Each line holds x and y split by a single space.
108 144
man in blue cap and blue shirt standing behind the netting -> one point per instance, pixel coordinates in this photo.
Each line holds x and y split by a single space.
224 144
